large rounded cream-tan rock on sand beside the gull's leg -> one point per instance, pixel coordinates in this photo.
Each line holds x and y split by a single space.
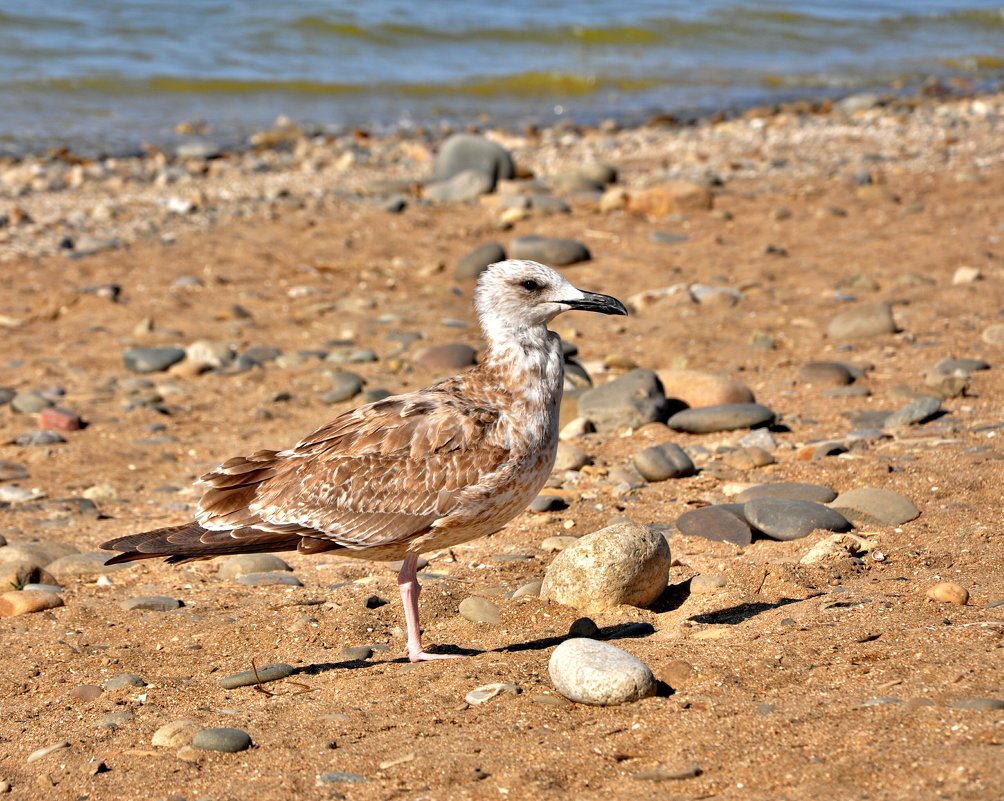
622 565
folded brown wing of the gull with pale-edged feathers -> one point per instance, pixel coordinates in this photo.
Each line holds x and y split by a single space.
382 474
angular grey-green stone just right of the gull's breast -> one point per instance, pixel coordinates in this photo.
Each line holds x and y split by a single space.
632 401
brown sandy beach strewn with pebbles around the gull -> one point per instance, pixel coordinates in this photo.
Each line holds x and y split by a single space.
308 275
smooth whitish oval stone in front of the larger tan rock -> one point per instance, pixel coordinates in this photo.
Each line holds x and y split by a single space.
590 672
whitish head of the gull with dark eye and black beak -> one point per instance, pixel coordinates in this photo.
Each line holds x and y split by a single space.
519 295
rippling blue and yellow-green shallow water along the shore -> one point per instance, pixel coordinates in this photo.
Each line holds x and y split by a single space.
114 74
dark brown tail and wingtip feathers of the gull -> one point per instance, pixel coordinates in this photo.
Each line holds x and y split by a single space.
191 542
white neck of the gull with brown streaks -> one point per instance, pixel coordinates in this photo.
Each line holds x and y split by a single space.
528 363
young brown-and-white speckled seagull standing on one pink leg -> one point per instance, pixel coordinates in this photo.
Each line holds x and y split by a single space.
410 473
